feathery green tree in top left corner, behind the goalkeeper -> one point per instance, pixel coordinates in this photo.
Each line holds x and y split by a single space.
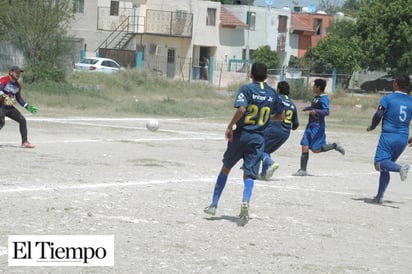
38 29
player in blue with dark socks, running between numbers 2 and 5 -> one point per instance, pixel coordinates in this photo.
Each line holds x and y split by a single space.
314 137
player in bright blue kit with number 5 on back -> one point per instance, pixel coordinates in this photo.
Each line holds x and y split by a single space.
395 111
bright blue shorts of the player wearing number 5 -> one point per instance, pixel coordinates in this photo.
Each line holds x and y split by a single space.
390 146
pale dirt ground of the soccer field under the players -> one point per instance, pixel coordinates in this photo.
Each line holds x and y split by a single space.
94 176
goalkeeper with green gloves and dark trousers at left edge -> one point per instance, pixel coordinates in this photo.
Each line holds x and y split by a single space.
10 91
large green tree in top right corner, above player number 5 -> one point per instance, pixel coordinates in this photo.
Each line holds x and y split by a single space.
385 31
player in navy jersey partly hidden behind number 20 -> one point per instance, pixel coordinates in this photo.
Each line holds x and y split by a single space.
277 132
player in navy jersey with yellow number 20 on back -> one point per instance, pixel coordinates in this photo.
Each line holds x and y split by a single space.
256 103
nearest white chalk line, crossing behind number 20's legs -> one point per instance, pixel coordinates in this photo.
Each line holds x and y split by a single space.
238 180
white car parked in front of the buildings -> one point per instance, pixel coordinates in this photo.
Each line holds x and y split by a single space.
97 64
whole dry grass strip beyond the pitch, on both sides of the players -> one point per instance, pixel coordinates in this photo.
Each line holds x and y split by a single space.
135 93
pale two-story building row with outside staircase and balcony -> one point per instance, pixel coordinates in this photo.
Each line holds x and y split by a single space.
173 36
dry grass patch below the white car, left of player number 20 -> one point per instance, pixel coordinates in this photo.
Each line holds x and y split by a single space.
128 93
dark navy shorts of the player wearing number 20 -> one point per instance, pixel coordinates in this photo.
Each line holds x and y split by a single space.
247 146
